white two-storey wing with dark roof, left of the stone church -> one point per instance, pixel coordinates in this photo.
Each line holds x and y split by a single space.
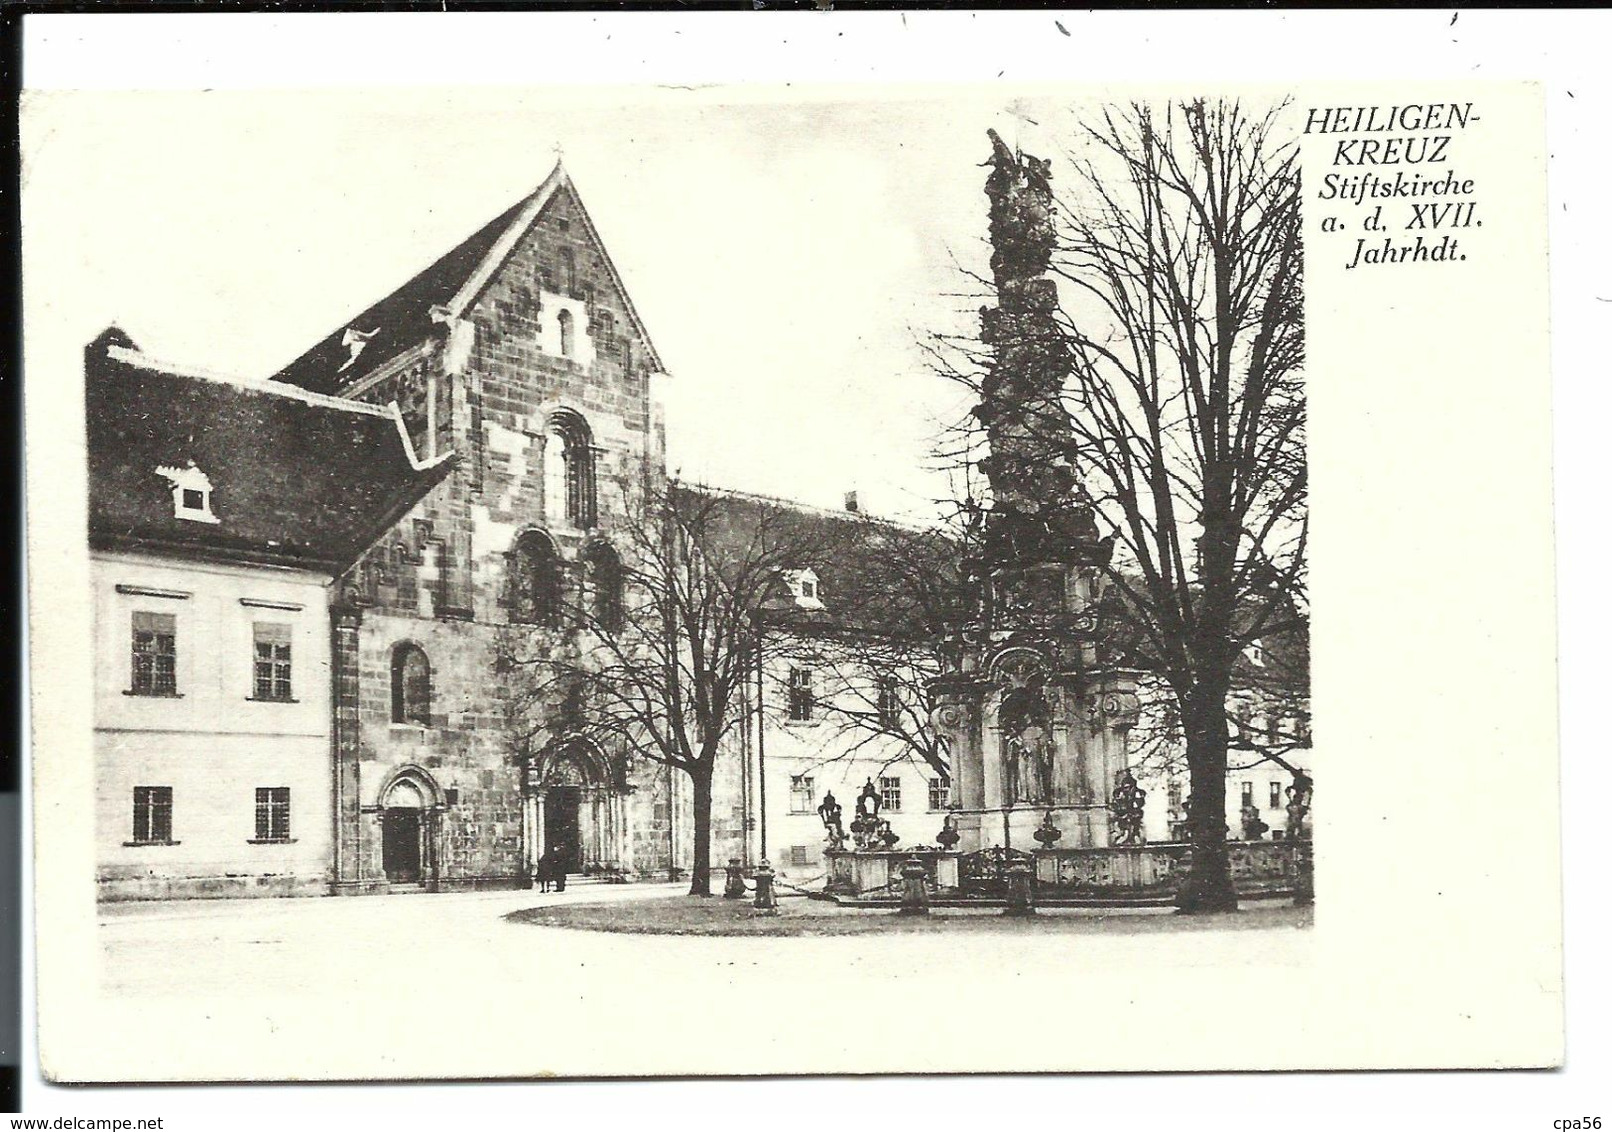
220 515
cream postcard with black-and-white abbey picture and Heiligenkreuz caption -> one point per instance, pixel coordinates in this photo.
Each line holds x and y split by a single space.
794 575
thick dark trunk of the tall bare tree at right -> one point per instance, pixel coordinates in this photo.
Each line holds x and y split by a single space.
1208 884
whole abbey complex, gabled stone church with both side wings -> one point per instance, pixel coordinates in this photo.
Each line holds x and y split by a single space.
309 589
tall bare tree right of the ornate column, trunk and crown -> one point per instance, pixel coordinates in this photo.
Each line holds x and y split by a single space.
1181 312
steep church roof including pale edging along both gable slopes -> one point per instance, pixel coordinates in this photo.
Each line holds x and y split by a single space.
451 285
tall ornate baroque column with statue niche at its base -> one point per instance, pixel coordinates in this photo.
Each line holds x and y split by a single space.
1037 730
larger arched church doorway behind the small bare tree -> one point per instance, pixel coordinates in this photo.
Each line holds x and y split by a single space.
575 812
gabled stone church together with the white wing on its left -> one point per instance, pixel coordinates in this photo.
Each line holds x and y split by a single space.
505 396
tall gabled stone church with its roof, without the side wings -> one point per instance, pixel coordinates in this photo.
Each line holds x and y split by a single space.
523 356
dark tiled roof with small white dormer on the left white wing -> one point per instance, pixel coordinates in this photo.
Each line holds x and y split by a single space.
297 480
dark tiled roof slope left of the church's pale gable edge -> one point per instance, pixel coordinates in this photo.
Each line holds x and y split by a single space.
402 318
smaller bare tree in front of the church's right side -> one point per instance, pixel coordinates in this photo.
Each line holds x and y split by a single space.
652 652
